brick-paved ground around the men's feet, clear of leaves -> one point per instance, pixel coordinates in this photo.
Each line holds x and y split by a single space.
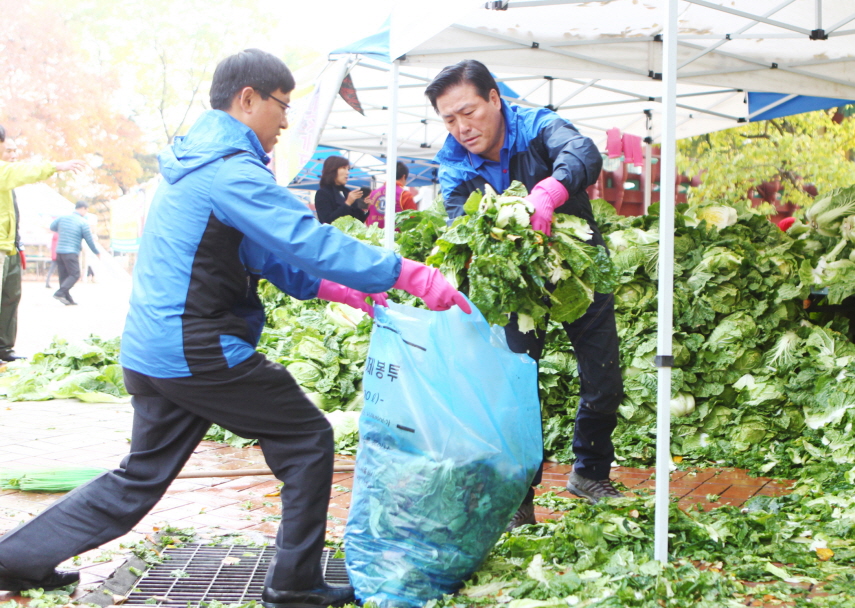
67 432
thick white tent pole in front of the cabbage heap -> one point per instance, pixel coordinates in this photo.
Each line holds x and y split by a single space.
667 187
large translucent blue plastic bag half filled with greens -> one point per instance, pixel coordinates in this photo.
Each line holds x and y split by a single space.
450 440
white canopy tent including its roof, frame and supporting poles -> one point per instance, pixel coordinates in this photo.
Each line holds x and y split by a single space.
688 63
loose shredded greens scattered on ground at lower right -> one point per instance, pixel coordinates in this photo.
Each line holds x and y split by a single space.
770 550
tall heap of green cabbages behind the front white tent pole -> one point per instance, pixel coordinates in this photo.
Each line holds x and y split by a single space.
758 381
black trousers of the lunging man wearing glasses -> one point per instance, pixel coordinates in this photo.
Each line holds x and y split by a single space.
257 399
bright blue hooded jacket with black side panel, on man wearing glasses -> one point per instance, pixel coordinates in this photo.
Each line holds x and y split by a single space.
218 223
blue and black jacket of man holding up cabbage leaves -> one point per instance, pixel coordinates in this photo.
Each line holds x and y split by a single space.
540 144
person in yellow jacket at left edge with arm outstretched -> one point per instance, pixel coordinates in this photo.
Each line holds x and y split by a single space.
12 175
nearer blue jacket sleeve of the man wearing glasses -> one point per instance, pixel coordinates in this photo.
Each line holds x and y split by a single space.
246 197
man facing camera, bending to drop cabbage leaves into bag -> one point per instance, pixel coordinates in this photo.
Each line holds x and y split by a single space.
493 142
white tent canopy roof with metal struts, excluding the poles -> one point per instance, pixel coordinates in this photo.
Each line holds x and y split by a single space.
601 71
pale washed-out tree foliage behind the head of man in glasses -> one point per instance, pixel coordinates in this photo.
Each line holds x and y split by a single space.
167 51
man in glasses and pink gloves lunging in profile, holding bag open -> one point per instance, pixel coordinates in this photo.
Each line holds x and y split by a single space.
218 223
